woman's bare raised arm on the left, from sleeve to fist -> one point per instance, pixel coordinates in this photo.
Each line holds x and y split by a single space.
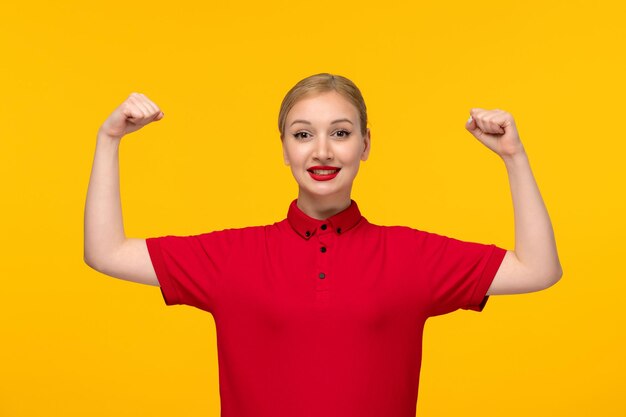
106 247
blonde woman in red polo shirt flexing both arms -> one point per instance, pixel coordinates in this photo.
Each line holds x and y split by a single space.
321 314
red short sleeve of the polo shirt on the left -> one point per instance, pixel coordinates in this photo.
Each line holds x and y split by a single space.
189 267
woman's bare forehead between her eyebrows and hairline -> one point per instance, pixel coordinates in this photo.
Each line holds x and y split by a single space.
323 107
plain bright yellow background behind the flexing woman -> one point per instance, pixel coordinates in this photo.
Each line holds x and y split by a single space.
76 342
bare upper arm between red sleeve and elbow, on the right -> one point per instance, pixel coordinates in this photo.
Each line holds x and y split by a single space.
513 278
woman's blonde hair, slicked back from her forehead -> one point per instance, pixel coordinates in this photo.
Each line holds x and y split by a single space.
320 83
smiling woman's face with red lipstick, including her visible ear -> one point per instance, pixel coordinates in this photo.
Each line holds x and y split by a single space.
323 144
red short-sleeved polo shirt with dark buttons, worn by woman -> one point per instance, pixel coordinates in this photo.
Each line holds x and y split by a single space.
322 317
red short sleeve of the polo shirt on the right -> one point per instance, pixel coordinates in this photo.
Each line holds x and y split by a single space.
457 273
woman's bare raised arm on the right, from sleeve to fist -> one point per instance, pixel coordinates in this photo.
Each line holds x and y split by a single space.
534 264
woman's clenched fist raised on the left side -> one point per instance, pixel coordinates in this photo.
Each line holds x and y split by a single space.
133 114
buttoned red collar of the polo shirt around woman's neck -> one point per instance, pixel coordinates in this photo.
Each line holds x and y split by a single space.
306 226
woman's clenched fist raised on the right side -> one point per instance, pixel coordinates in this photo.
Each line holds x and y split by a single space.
496 130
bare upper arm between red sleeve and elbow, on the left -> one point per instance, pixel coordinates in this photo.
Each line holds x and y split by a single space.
131 262
